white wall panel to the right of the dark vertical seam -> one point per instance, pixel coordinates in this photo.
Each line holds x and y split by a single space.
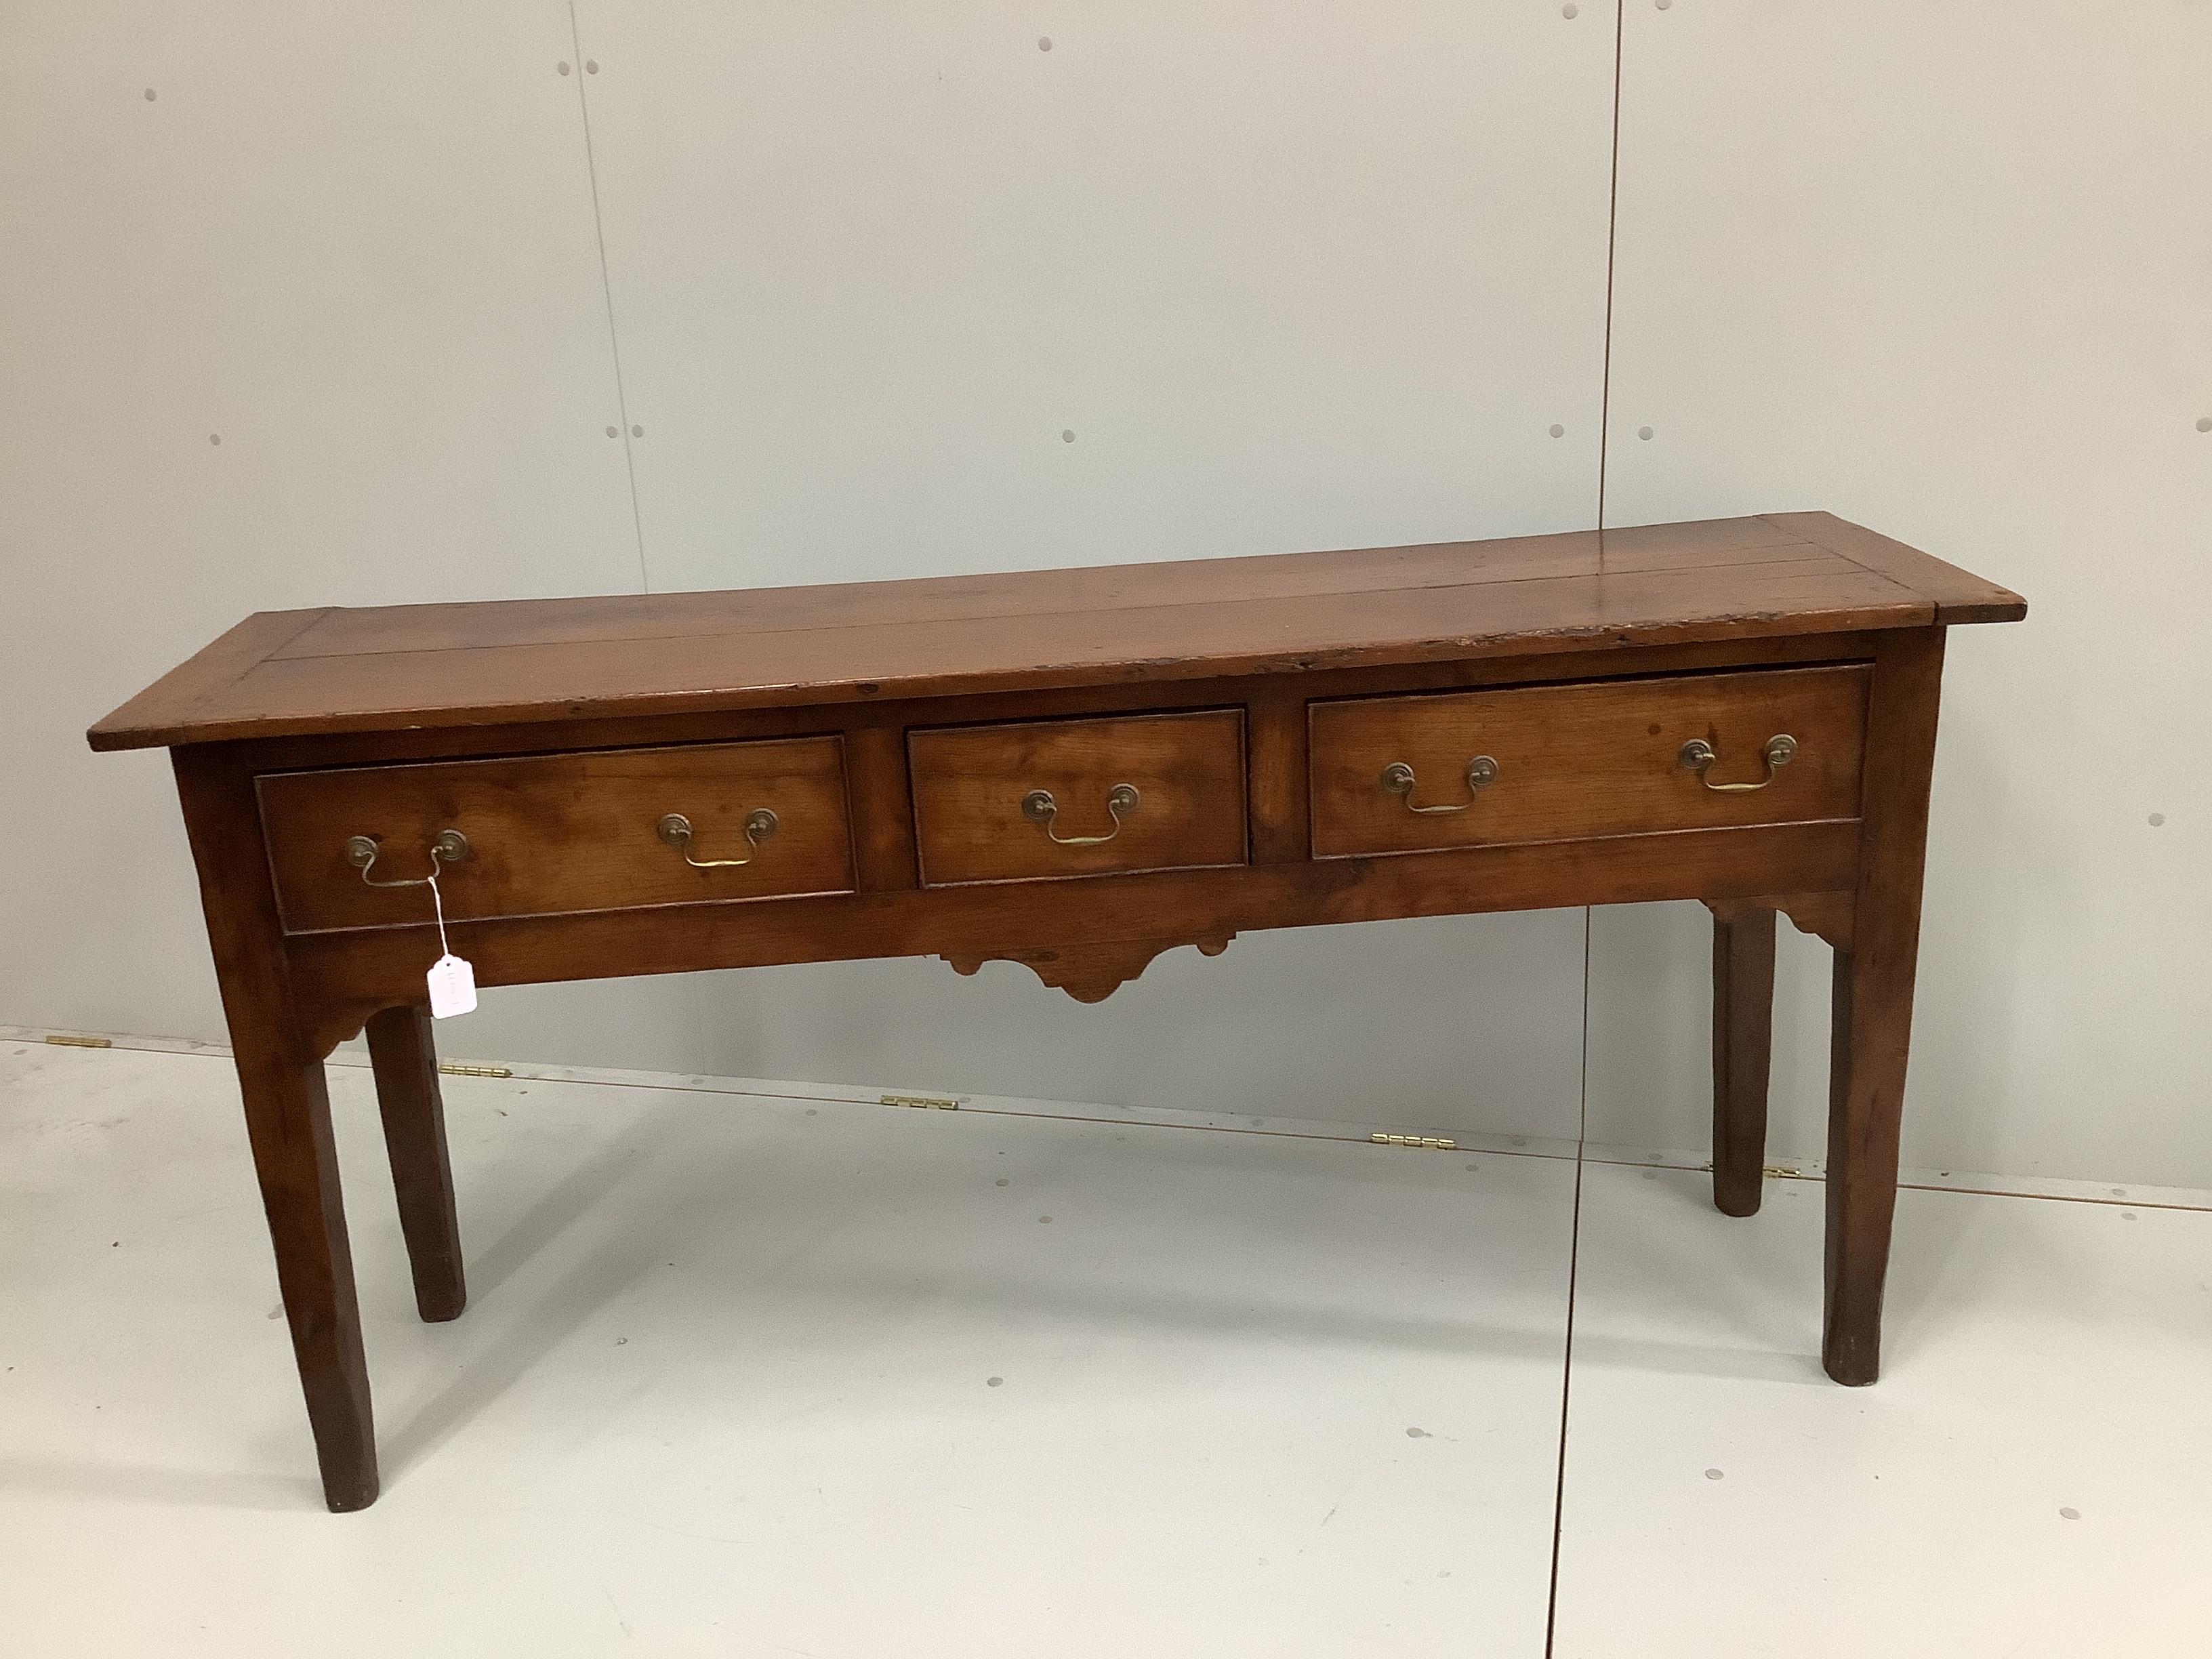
1948 271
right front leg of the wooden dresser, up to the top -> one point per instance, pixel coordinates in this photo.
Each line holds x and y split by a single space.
1875 1003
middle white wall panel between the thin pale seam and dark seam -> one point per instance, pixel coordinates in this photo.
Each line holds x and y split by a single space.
901 291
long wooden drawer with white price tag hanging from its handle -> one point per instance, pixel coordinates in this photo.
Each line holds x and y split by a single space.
561 833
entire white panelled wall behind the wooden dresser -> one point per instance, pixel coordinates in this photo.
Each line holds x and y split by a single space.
1293 278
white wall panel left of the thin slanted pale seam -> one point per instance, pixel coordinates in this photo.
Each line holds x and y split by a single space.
304 306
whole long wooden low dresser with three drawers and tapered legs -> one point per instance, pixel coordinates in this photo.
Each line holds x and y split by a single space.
1067 769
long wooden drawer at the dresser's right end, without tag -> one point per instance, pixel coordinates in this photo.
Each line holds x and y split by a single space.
1598 760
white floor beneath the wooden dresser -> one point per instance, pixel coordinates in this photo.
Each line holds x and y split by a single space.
806 1377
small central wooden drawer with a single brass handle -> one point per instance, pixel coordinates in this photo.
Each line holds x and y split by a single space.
1089 797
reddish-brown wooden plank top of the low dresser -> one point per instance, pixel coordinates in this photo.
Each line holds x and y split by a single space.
298 674
